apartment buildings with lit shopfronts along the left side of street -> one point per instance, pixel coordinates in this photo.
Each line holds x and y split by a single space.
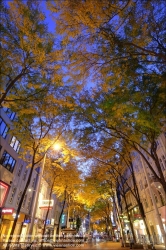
13 177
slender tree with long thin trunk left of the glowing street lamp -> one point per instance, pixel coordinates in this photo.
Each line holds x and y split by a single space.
35 131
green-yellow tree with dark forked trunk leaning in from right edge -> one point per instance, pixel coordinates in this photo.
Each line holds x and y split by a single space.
135 115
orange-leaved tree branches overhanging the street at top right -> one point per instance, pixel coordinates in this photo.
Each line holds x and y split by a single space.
105 38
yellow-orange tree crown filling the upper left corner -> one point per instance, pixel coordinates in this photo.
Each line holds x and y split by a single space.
28 66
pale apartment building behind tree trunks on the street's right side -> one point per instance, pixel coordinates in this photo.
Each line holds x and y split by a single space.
152 197
